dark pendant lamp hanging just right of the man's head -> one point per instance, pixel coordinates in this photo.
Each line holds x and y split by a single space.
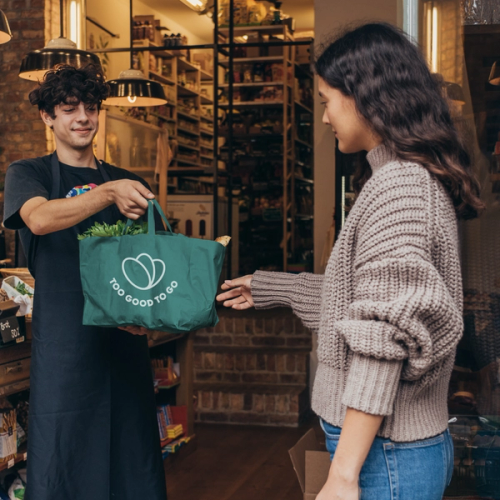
132 88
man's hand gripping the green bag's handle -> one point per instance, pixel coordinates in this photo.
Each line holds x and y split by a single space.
131 197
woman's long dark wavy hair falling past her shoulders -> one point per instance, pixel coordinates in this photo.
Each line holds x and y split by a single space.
393 89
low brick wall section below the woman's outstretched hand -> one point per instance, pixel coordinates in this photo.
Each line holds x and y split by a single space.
253 368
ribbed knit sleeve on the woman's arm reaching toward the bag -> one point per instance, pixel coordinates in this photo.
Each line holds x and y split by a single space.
301 292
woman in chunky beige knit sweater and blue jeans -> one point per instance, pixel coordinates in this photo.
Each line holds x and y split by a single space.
388 309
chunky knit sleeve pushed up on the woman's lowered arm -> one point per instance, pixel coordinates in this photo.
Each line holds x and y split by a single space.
402 320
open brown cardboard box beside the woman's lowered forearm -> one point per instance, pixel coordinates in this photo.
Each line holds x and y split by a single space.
311 463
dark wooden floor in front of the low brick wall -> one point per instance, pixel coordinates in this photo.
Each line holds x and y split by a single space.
237 463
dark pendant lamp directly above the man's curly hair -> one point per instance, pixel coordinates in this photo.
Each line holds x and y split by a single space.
58 51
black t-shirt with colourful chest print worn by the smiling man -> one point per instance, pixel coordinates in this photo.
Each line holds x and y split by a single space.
27 179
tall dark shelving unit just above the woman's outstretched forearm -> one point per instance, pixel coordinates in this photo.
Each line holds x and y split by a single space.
272 158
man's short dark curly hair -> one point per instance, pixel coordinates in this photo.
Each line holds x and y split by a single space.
66 84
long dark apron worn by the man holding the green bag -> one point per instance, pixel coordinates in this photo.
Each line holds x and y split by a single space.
93 433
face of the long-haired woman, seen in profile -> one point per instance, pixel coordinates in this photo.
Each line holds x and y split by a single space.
350 128
